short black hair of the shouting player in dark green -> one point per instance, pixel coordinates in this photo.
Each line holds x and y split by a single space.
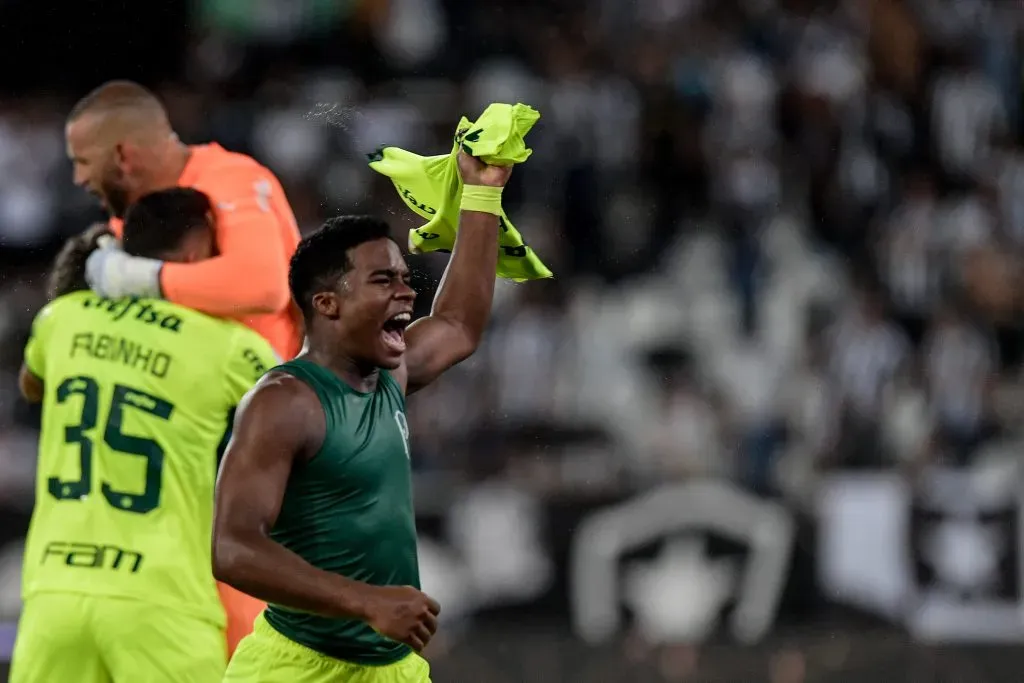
322 259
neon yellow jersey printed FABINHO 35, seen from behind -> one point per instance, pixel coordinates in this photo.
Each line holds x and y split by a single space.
139 395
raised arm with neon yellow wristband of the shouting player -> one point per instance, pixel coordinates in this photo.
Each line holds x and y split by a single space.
462 307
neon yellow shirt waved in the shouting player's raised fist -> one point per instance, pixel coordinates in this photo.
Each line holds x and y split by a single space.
432 187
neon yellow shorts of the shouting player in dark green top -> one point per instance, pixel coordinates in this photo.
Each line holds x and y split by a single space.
268 657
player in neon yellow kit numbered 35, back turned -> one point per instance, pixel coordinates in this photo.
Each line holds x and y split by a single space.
138 397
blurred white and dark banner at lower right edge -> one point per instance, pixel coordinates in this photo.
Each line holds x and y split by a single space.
942 557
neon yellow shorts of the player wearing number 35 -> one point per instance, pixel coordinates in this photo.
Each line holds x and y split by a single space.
94 639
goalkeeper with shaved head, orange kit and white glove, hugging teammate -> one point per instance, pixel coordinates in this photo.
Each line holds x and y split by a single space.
122 147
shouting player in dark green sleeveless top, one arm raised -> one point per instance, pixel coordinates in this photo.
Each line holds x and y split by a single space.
315 510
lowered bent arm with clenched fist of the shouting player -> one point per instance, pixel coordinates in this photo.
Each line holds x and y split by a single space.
279 425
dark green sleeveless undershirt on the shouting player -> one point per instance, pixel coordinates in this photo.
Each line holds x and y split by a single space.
350 510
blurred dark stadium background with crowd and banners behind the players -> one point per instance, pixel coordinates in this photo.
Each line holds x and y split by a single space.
788 237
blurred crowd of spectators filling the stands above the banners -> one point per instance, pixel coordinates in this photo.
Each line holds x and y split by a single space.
788 235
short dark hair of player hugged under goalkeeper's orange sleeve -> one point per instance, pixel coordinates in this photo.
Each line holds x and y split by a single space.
158 223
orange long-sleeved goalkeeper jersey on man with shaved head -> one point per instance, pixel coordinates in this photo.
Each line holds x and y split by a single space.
257 237
